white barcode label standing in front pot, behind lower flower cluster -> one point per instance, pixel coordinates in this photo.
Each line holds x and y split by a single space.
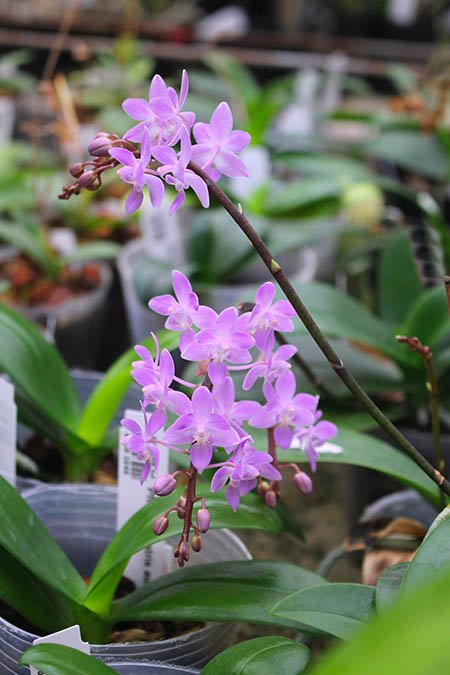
156 560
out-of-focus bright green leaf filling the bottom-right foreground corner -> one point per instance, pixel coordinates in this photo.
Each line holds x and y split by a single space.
410 638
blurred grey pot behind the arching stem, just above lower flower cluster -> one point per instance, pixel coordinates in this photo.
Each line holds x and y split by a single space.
300 265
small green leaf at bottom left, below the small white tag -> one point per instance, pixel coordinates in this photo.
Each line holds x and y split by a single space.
57 659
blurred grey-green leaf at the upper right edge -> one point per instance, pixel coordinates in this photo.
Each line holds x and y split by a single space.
412 150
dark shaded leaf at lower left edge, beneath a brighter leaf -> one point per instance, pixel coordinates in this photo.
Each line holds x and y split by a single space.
32 598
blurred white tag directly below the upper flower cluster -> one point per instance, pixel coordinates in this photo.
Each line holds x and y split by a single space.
161 232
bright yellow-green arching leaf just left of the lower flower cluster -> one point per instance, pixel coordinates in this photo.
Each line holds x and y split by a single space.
106 397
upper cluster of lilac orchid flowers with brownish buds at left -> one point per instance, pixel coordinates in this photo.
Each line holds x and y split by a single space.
147 153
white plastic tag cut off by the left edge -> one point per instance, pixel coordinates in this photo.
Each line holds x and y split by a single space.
8 431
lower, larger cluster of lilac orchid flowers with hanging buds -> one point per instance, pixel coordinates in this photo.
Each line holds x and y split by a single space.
211 427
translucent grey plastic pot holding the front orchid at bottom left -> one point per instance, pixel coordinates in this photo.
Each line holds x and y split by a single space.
71 514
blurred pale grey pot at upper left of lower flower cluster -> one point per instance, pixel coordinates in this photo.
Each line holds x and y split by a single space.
141 321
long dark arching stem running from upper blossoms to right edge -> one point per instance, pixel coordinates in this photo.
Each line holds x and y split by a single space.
313 329
